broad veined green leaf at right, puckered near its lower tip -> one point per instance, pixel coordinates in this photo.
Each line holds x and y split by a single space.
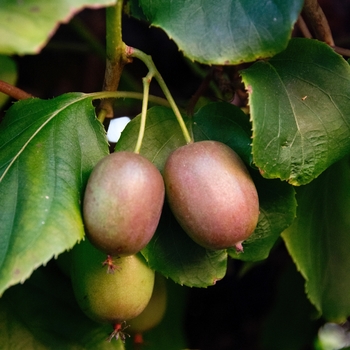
300 110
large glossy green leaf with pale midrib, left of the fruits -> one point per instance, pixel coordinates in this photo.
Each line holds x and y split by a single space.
47 151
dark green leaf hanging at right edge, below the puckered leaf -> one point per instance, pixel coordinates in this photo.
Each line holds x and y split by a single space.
319 240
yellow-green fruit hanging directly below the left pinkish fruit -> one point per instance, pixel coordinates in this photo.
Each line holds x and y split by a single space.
110 298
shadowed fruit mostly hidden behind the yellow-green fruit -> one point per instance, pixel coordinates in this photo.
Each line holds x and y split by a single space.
152 315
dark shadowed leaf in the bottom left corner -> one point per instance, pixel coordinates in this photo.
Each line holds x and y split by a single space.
42 314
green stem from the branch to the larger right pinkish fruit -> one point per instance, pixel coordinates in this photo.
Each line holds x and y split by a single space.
153 72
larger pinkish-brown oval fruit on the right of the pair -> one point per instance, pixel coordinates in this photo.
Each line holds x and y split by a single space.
211 194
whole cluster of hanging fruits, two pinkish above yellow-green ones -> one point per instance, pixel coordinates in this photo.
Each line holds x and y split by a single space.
209 191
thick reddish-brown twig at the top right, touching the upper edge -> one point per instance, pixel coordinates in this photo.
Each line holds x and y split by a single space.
318 21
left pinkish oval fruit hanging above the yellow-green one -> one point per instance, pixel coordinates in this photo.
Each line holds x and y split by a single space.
123 201
